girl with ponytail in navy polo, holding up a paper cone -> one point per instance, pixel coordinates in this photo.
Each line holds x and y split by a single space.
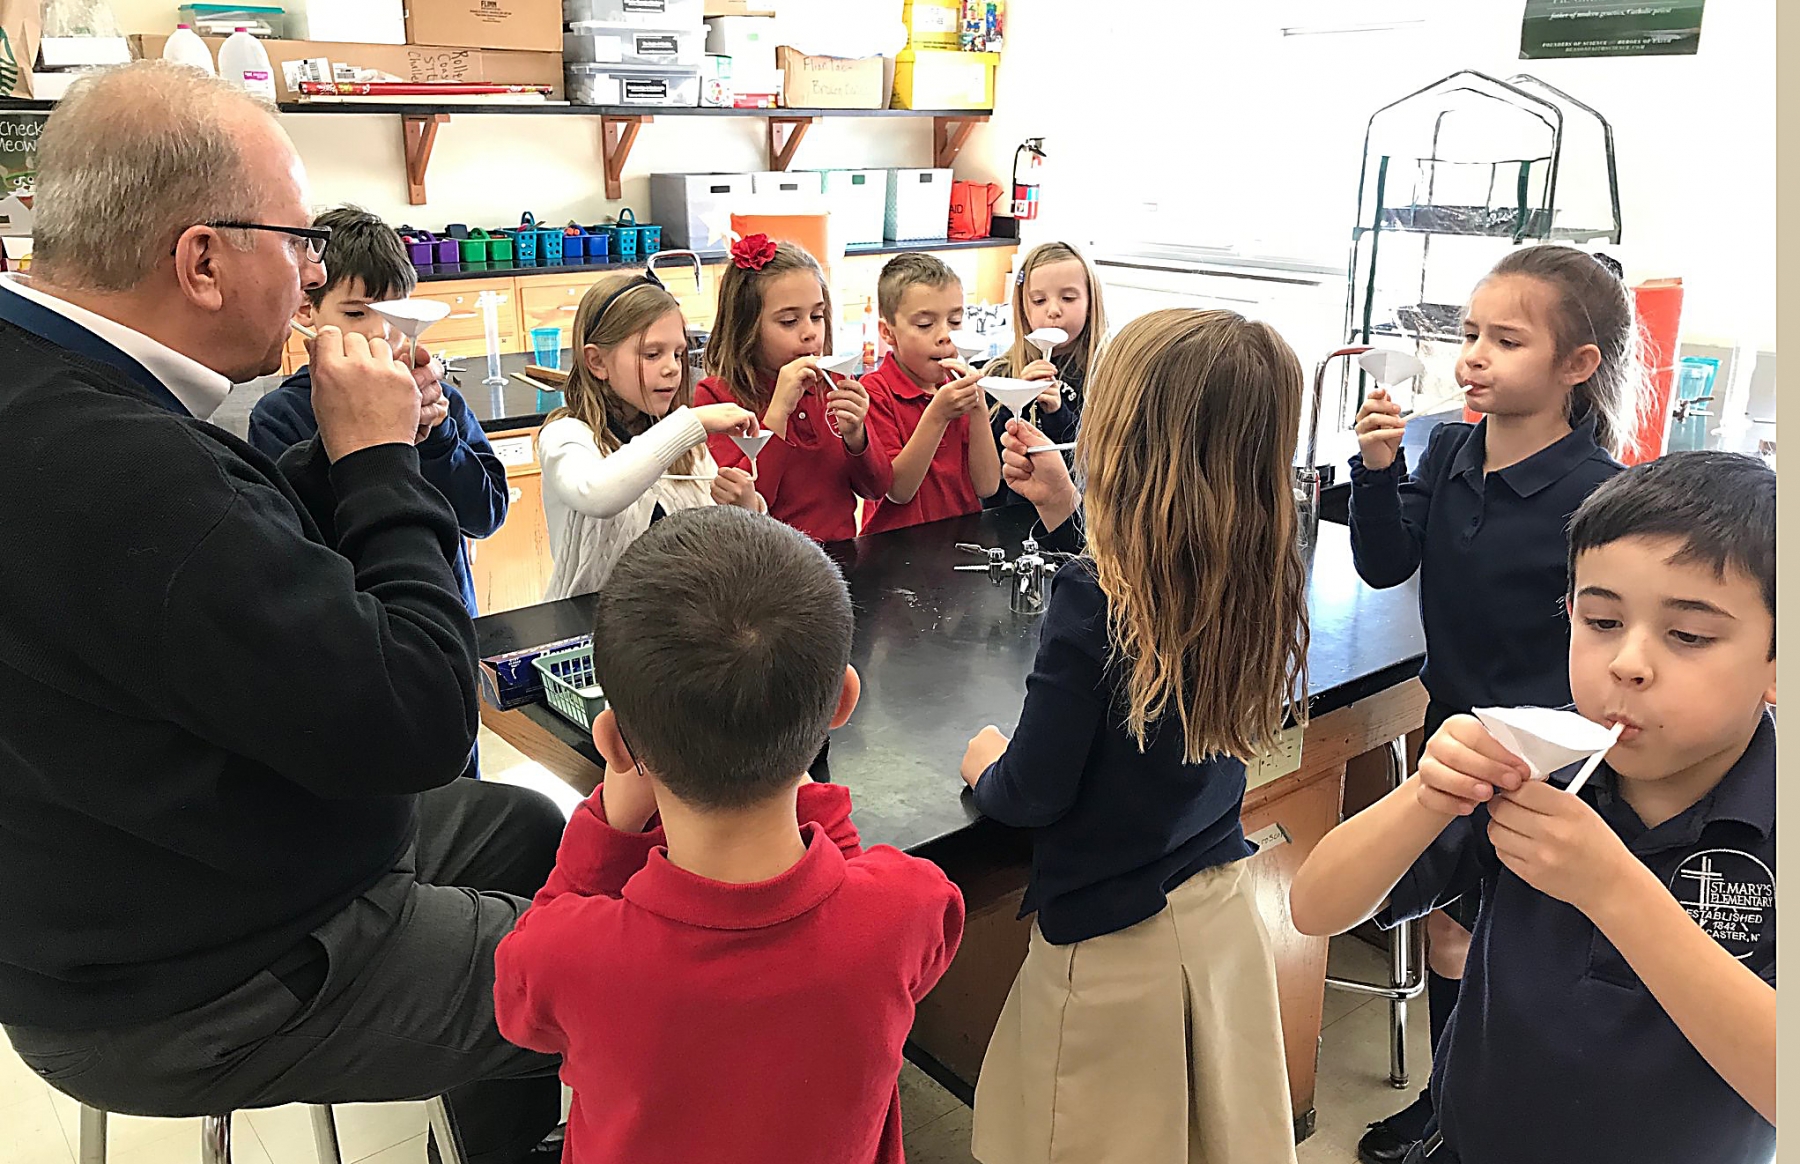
1549 361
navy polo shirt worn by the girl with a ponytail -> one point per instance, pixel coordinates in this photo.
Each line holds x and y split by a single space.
1491 551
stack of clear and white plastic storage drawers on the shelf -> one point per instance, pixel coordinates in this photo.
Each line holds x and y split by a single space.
634 53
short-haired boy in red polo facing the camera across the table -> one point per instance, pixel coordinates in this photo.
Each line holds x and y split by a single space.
924 404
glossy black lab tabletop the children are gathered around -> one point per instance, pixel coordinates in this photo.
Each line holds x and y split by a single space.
942 656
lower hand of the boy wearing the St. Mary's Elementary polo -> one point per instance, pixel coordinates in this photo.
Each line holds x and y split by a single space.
1558 845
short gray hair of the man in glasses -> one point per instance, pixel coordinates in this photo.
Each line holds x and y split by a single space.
130 159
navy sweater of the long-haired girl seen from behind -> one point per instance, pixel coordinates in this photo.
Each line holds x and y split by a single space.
1115 828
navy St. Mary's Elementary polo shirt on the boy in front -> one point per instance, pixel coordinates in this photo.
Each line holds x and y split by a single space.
1556 1050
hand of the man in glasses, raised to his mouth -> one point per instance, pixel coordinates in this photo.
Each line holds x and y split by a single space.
363 397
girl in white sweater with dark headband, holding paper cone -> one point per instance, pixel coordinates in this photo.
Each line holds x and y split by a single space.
629 447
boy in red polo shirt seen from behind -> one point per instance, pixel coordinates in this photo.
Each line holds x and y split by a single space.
726 972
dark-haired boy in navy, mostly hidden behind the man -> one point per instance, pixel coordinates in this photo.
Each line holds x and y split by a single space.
366 264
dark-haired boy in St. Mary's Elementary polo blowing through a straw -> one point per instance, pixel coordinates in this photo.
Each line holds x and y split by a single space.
1621 994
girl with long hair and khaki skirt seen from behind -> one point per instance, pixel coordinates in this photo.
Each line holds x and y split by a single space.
1144 1025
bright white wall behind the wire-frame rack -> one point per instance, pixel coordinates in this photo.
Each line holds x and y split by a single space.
1252 139
